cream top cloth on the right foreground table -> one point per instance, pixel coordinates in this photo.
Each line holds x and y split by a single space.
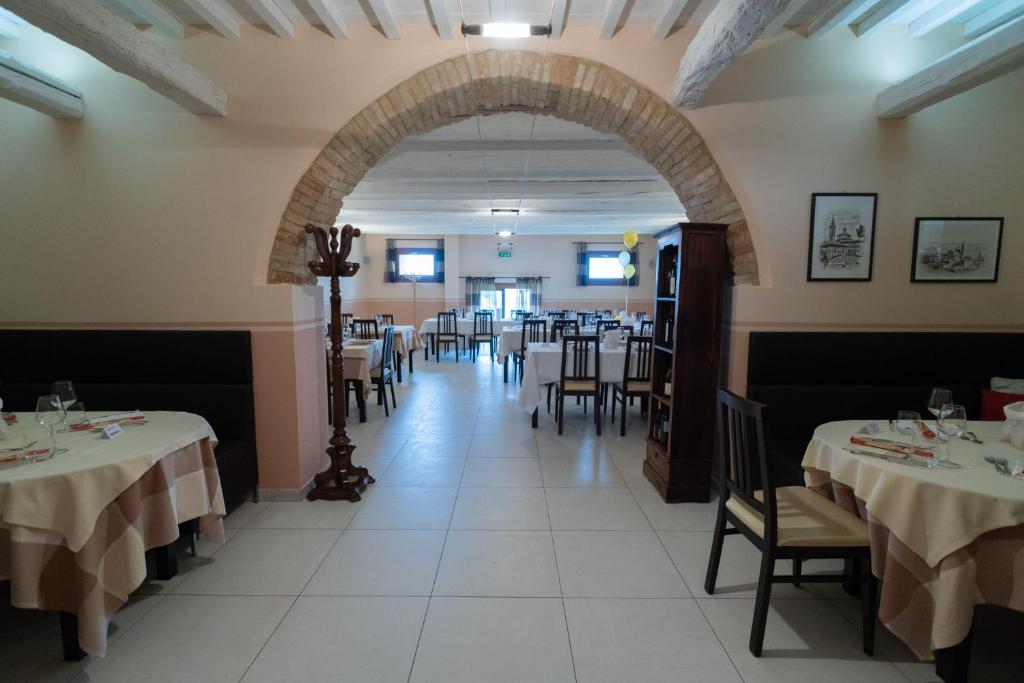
933 511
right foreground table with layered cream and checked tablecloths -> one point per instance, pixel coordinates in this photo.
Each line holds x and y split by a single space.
944 539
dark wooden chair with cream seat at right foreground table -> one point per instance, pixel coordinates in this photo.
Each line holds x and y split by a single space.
791 523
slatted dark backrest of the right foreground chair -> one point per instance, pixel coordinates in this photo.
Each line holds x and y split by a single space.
744 456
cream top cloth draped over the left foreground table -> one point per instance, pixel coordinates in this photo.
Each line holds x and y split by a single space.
65 495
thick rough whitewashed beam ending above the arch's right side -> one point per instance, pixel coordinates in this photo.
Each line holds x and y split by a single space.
728 32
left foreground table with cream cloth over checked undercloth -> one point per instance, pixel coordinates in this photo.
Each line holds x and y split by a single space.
77 530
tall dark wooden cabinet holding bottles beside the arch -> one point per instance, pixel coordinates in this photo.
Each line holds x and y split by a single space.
690 303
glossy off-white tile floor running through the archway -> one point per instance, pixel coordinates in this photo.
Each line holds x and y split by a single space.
488 551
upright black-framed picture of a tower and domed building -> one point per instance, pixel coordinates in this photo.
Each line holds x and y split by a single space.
842 242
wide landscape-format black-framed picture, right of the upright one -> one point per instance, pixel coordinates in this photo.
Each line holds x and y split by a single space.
957 250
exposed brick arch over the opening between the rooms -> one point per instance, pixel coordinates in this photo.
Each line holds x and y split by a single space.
560 86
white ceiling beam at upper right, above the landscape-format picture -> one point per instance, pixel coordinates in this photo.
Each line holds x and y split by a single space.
978 62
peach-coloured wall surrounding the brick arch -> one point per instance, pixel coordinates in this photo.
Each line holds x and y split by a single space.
144 215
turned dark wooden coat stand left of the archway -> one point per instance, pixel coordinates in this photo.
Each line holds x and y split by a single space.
342 480
